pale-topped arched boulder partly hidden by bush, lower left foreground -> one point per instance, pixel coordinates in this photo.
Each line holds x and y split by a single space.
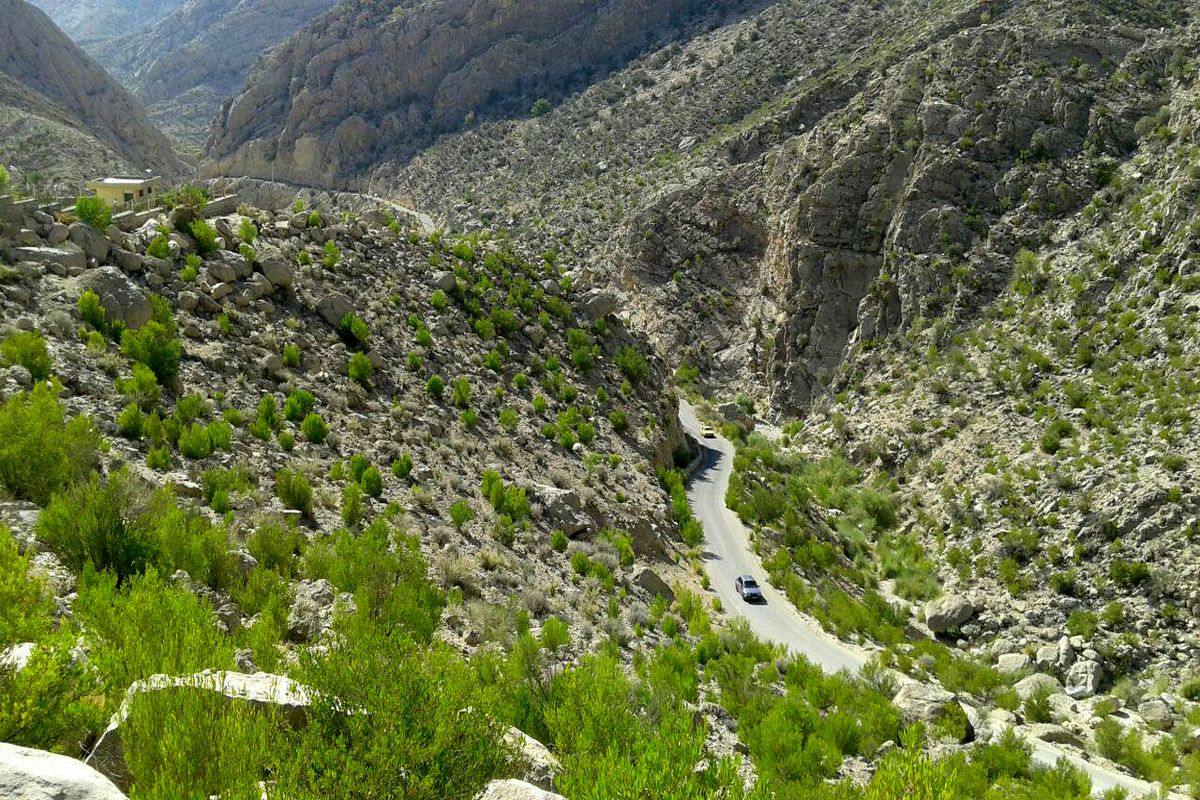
261 691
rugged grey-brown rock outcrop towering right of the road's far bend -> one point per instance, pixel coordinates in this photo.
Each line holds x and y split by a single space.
904 203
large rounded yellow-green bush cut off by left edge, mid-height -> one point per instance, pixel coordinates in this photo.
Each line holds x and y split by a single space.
41 452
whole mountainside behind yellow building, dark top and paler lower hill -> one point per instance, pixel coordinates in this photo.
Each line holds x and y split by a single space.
63 117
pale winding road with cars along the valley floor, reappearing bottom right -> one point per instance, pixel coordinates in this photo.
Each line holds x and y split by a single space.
728 555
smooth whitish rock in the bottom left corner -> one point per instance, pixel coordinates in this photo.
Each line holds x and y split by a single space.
38 775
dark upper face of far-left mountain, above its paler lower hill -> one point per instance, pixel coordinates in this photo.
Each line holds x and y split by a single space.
74 92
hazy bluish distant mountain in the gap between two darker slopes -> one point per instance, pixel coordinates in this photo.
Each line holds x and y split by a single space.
188 63
